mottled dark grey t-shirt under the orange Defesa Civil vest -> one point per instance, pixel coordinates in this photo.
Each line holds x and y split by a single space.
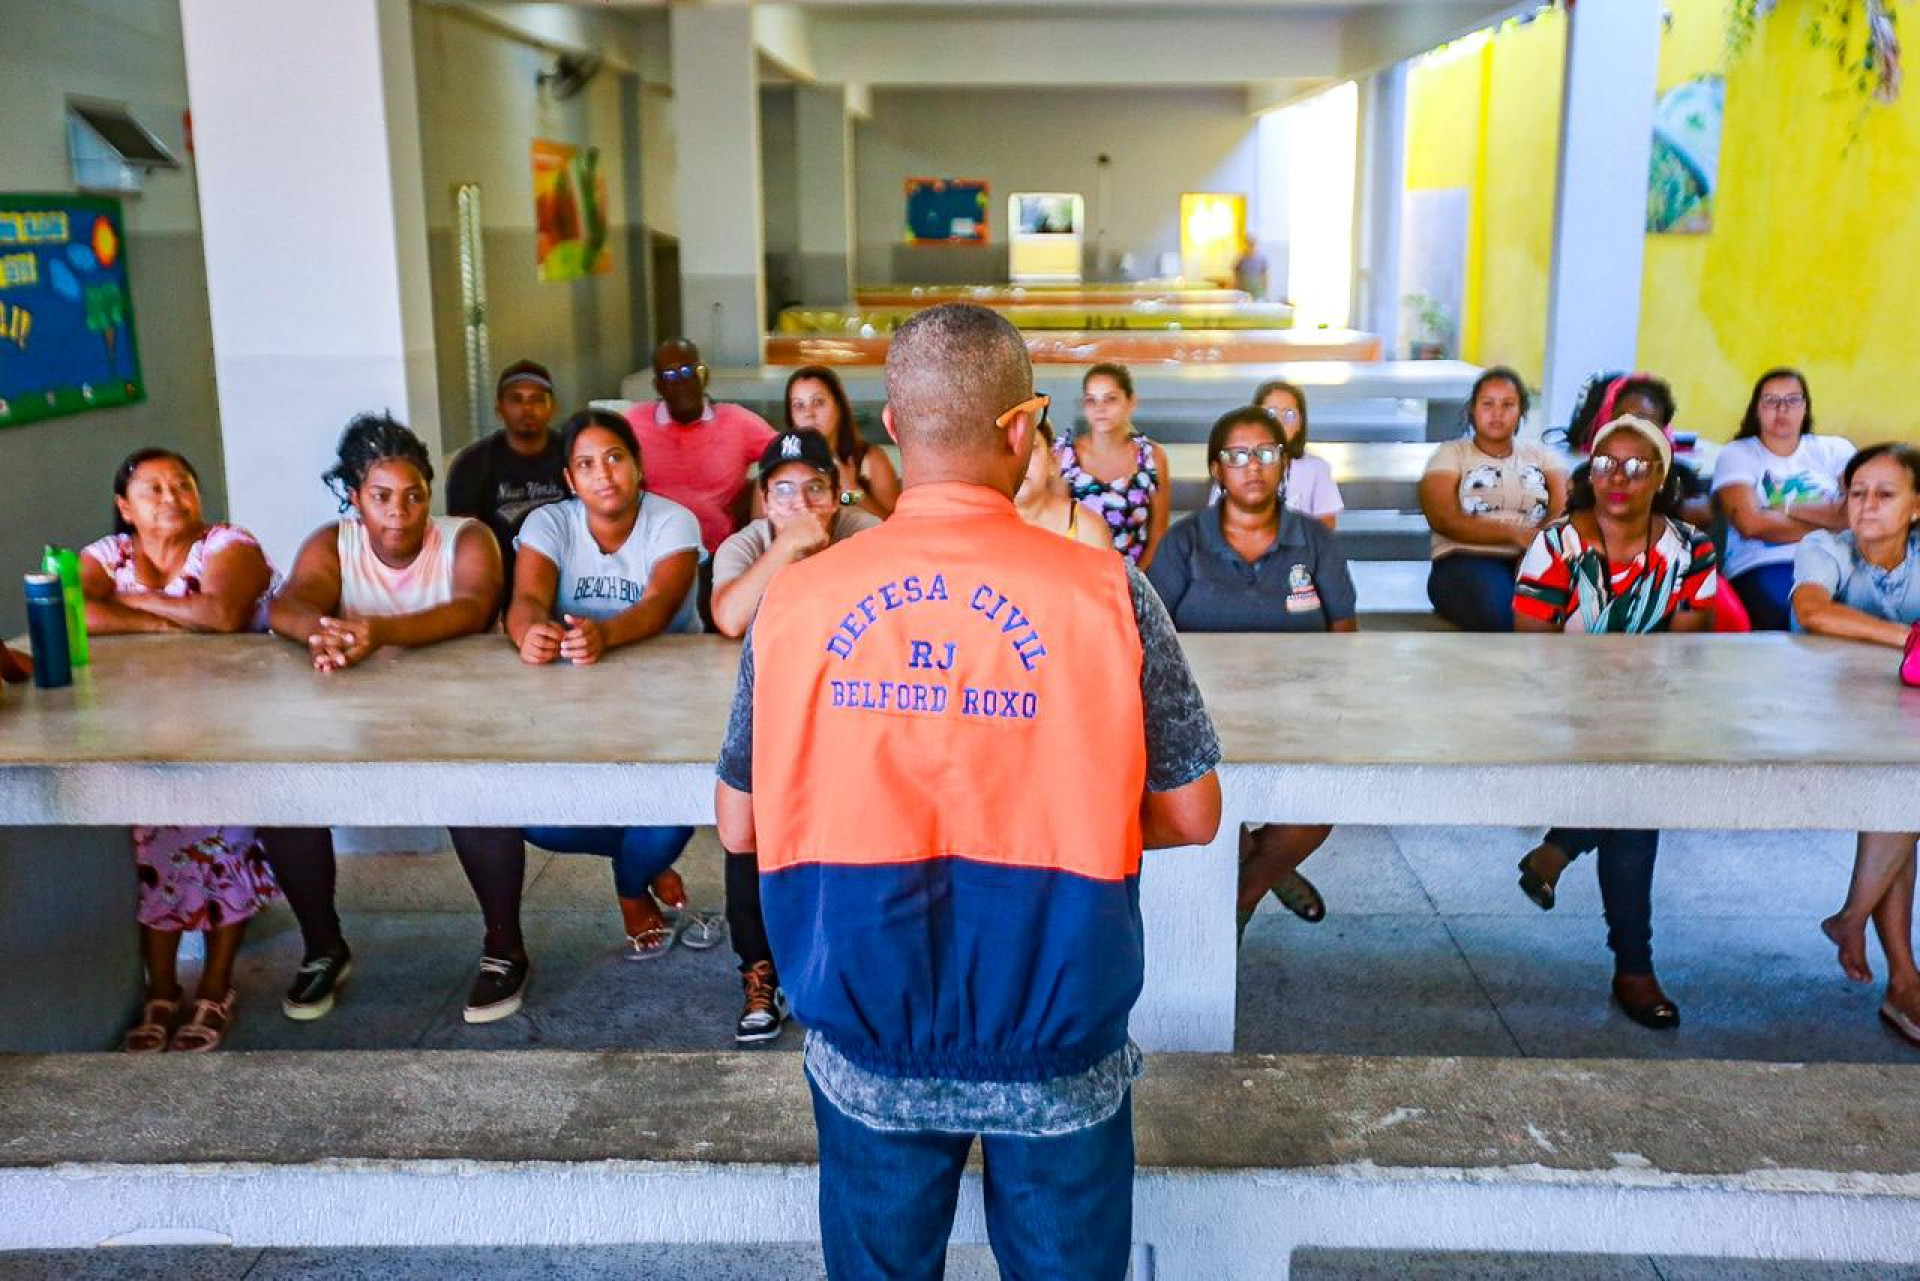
1182 746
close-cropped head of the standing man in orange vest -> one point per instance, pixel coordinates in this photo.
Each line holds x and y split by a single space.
951 372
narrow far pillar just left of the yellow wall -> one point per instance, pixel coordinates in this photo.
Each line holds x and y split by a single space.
1383 180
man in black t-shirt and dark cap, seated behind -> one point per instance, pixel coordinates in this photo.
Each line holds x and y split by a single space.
502 477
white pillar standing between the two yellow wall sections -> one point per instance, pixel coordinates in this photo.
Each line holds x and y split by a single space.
1600 220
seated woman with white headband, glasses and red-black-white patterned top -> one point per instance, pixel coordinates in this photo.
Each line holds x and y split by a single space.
1618 564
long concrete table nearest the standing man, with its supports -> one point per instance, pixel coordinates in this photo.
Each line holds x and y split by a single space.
1393 729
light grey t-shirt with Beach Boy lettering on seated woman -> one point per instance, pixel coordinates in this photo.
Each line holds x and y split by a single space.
600 585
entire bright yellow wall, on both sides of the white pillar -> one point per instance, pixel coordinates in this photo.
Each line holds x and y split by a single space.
1813 258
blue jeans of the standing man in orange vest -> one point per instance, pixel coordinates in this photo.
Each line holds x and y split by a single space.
1055 1207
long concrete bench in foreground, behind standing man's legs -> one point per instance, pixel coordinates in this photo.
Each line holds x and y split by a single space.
1243 1161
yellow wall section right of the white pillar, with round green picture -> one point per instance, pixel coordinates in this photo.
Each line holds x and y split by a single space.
1815 249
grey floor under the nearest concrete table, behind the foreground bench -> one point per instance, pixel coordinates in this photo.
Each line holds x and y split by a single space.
1428 950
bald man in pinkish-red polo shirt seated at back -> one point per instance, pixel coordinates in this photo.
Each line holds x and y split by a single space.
694 450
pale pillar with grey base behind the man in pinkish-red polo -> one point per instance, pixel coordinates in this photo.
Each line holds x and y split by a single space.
717 122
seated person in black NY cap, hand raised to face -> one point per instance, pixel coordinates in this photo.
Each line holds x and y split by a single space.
800 489
